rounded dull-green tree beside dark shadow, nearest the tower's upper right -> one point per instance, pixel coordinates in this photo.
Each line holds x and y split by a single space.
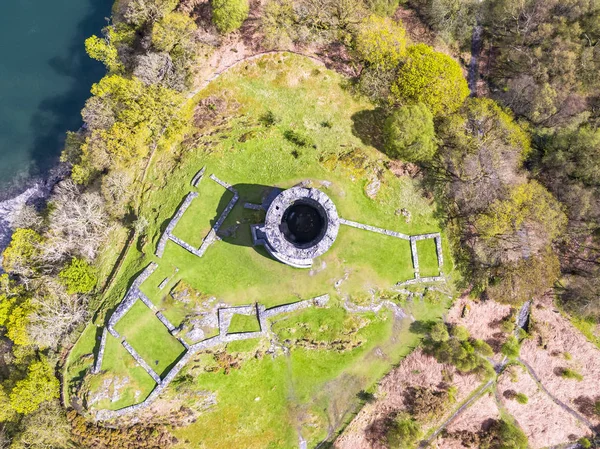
409 134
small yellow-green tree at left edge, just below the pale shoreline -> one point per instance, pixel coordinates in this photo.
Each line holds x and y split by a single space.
20 254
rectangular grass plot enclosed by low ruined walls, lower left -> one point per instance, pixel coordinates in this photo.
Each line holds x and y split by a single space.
150 338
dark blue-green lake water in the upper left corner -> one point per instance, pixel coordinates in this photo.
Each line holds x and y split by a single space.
45 78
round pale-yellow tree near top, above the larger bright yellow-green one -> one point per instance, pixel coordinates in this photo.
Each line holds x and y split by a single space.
381 42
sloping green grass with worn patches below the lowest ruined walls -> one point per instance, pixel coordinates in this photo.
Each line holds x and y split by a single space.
310 389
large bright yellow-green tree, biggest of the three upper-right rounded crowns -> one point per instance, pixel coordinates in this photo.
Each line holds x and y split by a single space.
432 78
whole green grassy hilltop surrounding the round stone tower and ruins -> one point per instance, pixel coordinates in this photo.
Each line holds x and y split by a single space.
269 398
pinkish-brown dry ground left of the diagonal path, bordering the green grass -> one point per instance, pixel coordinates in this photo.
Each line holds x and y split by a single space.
417 369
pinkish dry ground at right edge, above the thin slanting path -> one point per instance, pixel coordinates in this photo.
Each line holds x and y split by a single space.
557 344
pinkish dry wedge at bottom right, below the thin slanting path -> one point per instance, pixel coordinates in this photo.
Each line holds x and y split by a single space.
543 421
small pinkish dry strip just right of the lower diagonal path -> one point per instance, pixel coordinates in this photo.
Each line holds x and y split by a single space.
473 419
